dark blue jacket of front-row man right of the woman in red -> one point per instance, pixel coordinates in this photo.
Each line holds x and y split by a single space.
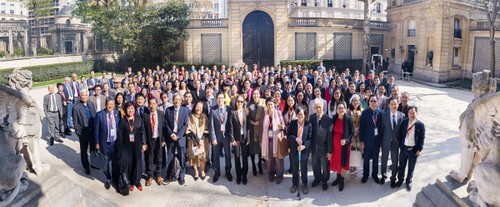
367 127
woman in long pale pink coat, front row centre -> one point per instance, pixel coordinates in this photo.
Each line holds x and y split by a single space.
272 139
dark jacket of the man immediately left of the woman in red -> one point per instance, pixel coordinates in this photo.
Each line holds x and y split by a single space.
322 134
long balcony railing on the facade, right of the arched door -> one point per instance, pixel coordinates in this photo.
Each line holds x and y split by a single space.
331 22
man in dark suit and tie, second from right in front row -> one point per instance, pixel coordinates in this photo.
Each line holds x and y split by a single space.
389 131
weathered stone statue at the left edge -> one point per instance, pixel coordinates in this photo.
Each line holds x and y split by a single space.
20 132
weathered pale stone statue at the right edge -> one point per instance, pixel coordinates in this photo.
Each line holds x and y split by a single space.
479 137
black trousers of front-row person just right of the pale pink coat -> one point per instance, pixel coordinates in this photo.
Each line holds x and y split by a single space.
294 162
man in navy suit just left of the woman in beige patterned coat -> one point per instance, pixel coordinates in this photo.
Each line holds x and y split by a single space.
176 120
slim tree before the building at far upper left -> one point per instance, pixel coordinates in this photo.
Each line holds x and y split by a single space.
39 9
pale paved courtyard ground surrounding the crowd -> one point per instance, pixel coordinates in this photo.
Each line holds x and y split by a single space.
439 109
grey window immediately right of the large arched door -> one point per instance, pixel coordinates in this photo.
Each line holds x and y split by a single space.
305 46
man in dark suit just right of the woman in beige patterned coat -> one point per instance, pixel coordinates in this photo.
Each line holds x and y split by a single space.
221 135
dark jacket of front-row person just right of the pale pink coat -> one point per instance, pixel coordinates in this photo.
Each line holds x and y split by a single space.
293 132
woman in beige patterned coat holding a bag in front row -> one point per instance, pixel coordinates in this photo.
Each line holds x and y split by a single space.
198 144
